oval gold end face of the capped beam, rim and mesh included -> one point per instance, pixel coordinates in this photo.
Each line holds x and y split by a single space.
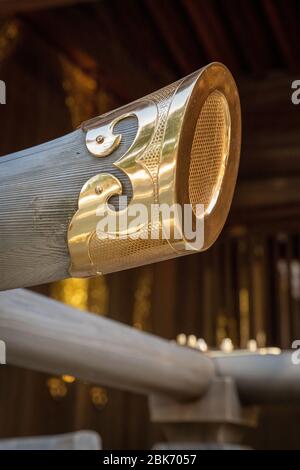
209 148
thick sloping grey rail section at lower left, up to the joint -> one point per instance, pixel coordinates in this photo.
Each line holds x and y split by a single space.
43 334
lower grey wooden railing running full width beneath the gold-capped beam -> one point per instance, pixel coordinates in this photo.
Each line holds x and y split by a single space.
45 335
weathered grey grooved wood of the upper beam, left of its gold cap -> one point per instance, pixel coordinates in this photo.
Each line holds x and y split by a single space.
39 190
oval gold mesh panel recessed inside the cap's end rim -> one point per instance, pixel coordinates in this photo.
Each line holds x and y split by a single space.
209 152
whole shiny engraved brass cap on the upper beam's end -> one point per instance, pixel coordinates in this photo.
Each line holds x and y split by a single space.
186 151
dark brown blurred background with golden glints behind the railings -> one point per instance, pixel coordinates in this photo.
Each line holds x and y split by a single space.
66 61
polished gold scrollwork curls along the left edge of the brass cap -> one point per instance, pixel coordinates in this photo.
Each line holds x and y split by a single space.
96 192
